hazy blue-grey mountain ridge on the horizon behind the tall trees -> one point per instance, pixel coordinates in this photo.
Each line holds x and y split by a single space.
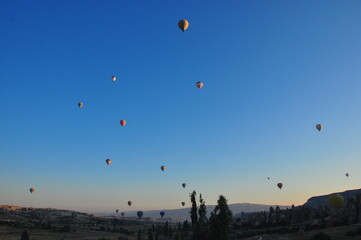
183 213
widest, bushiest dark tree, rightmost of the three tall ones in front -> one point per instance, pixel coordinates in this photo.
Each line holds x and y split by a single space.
220 220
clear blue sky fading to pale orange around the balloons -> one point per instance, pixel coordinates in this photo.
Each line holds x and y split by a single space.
271 70
